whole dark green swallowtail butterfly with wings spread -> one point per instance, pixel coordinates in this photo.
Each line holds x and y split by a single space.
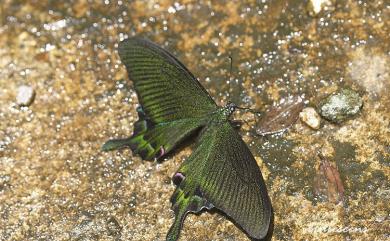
221 172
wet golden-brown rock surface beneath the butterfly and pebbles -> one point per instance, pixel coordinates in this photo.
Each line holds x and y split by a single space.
56 184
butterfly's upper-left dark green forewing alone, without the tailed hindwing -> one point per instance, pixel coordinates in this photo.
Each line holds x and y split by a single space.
166 89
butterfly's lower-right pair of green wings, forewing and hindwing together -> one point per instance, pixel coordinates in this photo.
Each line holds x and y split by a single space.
223 173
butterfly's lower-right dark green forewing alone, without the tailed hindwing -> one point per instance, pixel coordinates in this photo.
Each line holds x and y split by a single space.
234 184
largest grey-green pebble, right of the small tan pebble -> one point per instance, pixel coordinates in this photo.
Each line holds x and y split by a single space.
340 106
